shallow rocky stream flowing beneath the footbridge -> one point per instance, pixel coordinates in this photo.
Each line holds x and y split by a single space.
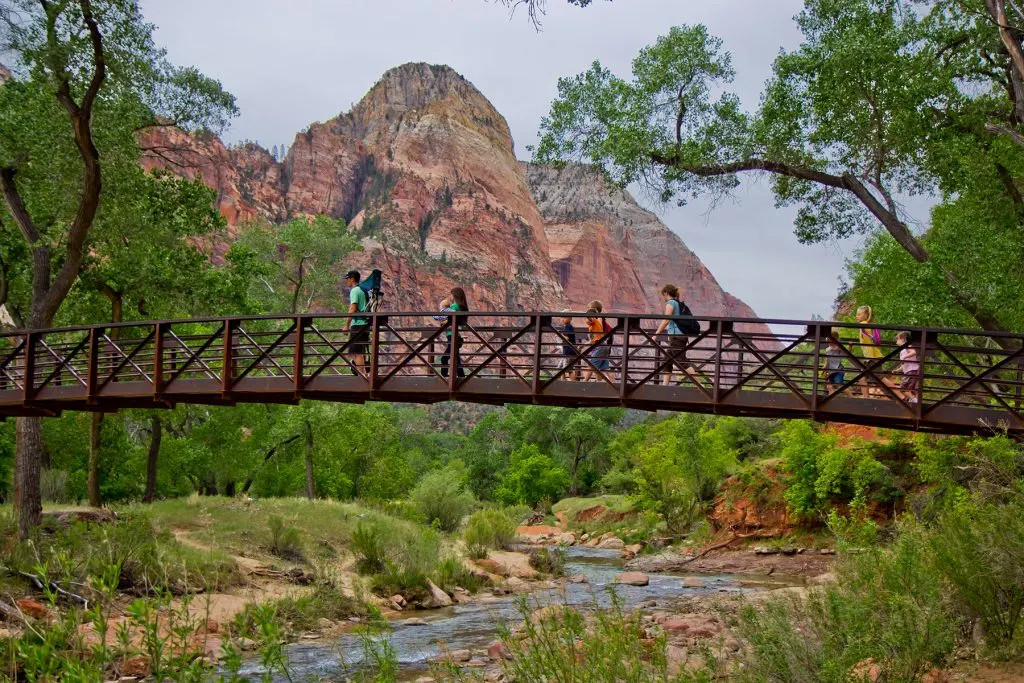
475 626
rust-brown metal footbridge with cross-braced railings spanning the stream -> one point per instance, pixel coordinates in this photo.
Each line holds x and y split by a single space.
970 381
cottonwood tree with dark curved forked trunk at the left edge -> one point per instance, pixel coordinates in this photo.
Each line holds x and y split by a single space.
88 80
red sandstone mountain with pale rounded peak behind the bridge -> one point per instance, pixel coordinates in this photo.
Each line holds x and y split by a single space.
423 169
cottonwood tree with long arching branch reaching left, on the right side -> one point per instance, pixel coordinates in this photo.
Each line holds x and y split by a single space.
870 108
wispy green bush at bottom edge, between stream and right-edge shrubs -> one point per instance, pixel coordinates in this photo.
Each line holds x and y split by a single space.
887 606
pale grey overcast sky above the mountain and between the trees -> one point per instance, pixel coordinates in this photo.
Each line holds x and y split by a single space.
290 63
